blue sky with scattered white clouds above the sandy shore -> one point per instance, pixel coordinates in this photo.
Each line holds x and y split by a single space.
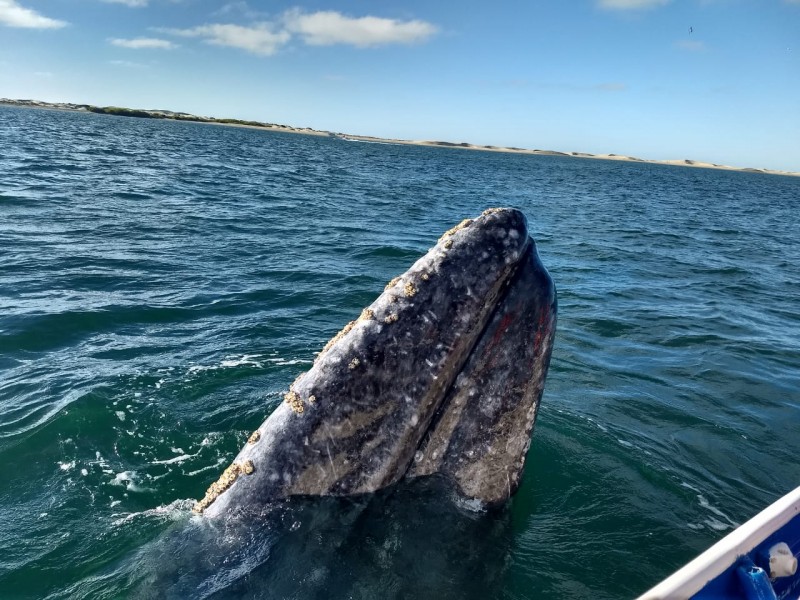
710 80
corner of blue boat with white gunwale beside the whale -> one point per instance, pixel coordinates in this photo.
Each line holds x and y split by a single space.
756 561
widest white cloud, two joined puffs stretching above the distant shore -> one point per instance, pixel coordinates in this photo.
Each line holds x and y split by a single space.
323 28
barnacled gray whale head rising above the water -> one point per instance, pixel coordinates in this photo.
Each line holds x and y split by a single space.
477 311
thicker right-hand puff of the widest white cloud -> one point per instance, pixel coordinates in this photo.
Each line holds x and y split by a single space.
325 28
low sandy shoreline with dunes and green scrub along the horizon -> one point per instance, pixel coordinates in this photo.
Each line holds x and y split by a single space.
181 116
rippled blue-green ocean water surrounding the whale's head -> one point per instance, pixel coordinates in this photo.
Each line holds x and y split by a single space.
162 283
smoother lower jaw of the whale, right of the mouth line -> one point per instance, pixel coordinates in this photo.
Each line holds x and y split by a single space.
482 431
